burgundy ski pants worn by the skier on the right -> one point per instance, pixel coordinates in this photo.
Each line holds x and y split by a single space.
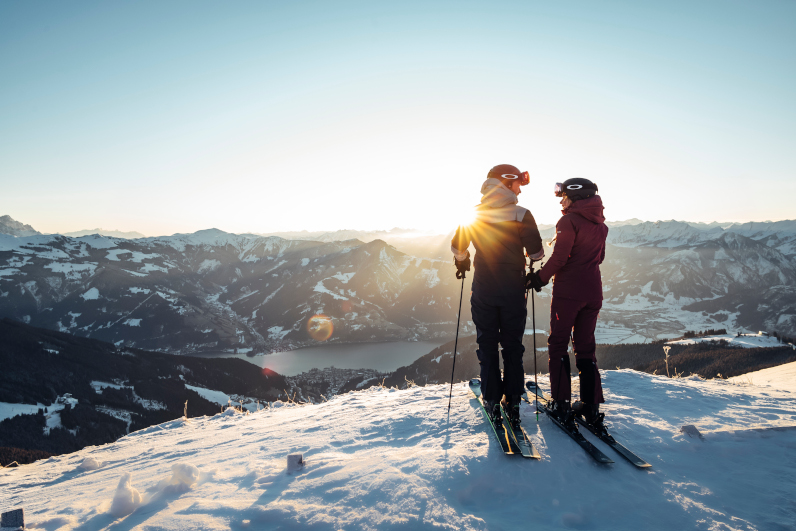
578 319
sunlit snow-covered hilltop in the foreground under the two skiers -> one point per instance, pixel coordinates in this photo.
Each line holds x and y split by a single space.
389 459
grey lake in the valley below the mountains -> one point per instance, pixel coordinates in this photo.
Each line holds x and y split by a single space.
383 357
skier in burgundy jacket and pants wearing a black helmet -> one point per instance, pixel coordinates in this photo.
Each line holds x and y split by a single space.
577 299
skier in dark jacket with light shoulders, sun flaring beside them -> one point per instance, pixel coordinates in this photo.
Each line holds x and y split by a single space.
498 302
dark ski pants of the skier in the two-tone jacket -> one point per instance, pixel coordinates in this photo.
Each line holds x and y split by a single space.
500 320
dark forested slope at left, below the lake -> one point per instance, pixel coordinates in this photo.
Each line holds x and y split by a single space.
40 365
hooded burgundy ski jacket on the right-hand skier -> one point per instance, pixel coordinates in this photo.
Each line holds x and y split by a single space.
579 251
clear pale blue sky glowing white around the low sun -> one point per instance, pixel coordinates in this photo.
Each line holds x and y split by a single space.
164 117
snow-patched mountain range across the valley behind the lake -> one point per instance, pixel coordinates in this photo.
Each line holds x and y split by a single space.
216 291
